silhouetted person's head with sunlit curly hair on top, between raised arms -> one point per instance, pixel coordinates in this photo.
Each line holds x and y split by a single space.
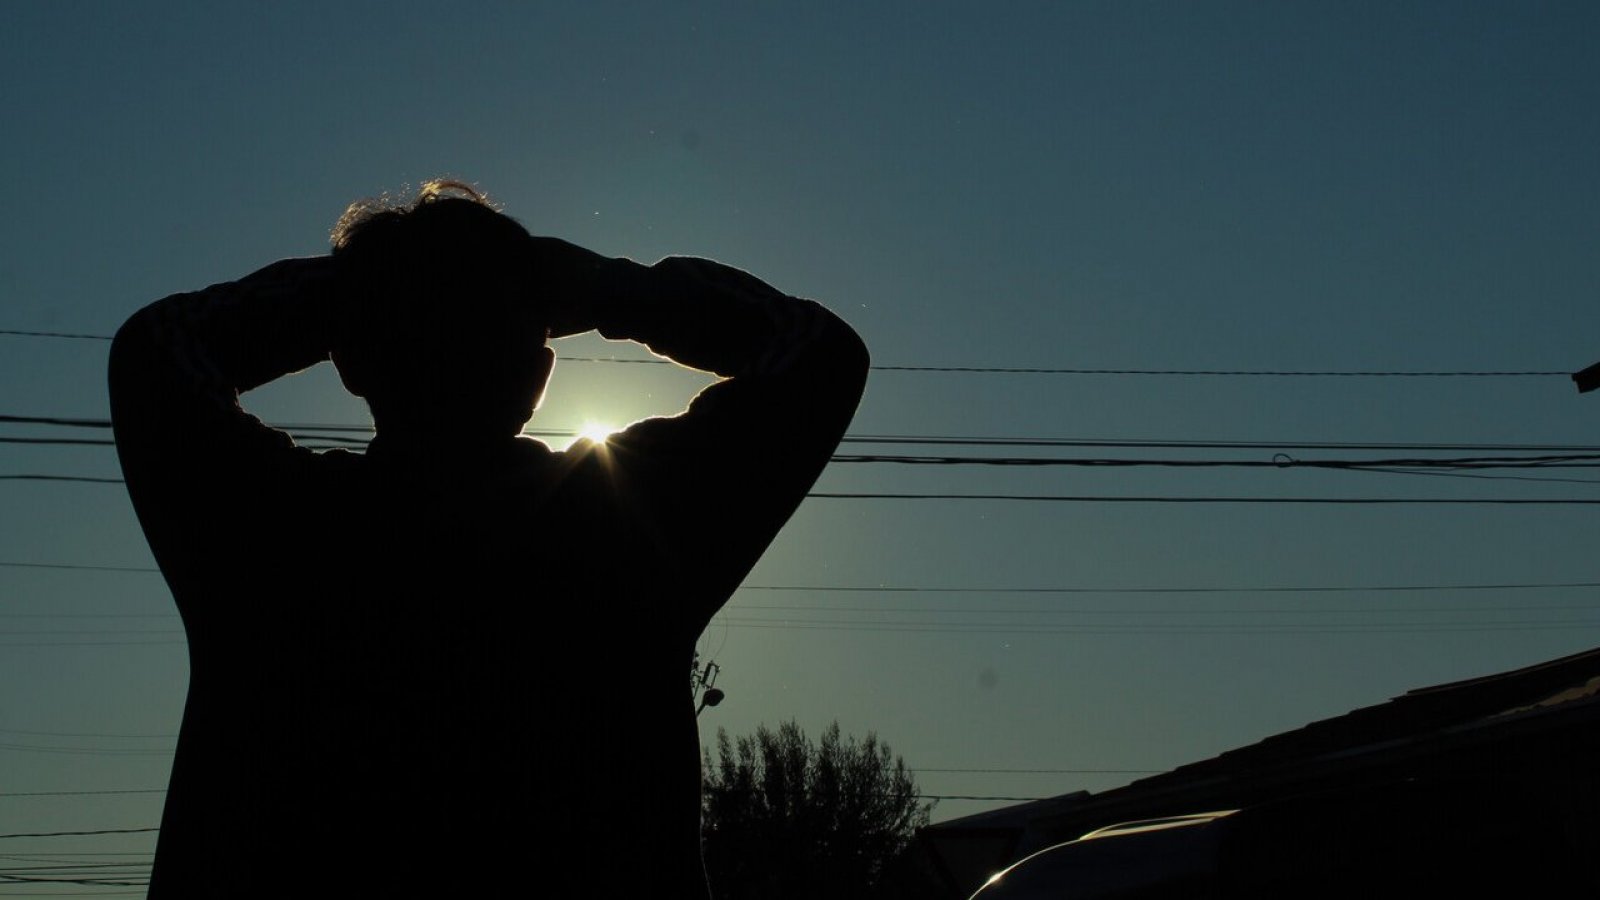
447 327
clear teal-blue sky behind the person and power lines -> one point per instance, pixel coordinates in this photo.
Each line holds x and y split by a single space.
1110 187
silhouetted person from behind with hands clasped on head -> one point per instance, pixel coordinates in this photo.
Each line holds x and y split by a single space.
457 665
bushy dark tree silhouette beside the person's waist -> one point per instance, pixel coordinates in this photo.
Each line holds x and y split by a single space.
786 818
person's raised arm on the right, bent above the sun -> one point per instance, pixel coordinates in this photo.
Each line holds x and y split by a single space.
726 475
